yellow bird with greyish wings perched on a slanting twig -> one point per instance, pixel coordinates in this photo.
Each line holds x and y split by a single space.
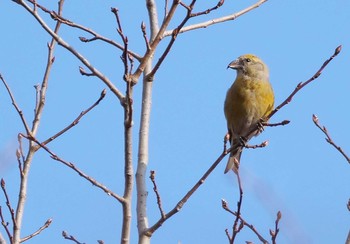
249 99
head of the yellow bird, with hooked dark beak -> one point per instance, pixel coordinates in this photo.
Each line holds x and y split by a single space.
251 66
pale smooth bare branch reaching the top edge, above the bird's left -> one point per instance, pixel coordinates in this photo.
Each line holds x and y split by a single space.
217 20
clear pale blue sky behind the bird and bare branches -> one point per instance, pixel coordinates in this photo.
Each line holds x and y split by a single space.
299 173
